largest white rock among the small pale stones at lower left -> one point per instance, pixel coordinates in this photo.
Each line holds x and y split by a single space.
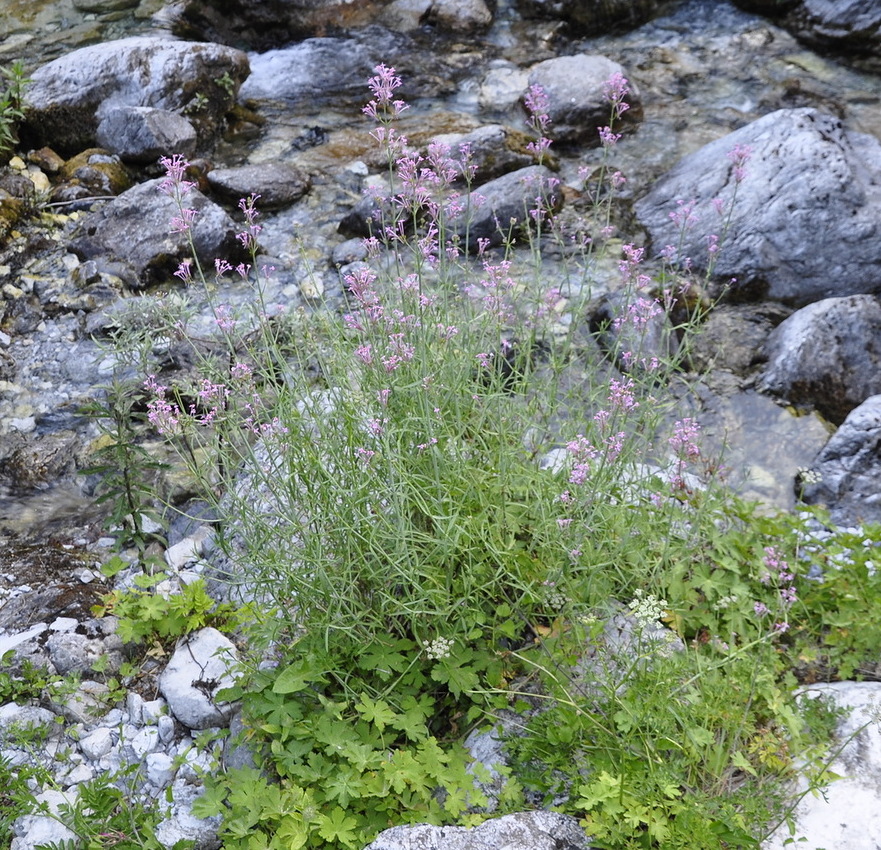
199 668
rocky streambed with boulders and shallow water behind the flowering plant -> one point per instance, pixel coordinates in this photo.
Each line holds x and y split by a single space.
270 102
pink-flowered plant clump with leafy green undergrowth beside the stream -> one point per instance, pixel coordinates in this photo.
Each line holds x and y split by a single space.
446 508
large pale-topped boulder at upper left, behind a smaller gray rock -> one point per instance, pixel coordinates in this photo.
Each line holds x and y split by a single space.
68 97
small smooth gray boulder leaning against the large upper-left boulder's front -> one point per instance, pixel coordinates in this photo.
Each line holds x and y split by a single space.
143 134
